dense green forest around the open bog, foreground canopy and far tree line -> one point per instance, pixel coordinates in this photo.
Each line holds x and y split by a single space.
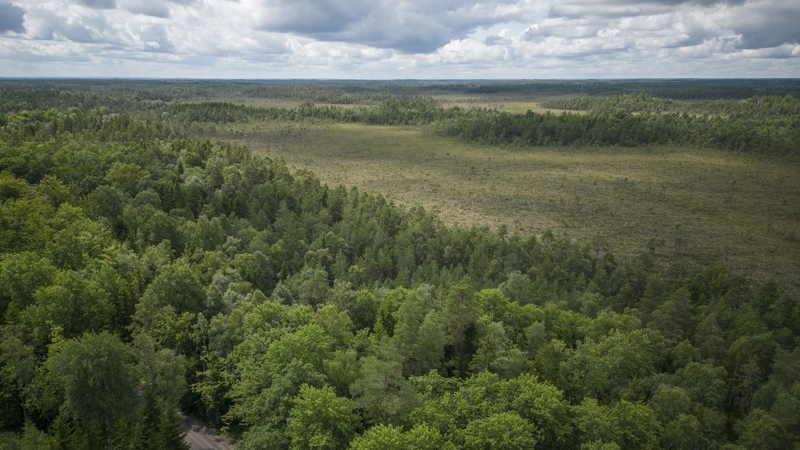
145 273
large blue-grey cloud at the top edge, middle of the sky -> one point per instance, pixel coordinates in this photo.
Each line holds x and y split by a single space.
411 26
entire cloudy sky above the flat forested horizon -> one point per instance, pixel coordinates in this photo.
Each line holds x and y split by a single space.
400 39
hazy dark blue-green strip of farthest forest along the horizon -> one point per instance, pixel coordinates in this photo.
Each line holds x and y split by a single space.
348 92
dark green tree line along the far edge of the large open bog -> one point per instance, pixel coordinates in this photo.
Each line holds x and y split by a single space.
756 134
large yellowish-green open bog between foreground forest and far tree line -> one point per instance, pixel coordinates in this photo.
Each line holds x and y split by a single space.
708 206
